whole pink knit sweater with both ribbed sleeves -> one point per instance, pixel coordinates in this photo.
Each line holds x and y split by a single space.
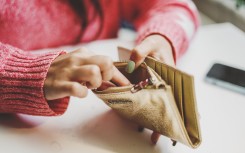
29 25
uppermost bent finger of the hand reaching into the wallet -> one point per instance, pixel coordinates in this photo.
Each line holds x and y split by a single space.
105 64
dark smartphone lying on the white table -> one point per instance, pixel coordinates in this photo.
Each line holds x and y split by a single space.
227 77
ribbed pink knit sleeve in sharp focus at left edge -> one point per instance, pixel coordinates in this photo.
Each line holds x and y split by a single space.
22 77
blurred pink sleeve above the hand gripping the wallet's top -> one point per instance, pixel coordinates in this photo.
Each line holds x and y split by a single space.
176 20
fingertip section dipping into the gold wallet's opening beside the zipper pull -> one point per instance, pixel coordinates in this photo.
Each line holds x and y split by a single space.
119 79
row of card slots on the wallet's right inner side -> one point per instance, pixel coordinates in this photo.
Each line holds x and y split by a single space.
184 93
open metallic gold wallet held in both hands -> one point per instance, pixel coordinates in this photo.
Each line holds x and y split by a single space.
160 98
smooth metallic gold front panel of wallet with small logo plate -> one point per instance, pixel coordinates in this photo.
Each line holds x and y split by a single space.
149 110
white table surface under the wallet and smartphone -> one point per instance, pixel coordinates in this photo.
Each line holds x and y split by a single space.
90 126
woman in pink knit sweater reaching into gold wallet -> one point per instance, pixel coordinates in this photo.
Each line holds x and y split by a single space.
41 84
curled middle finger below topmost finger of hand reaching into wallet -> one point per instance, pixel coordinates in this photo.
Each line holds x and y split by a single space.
87 73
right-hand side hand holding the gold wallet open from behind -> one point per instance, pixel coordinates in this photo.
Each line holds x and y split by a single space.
159 48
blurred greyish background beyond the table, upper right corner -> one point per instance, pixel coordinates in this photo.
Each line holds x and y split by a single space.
217 11
